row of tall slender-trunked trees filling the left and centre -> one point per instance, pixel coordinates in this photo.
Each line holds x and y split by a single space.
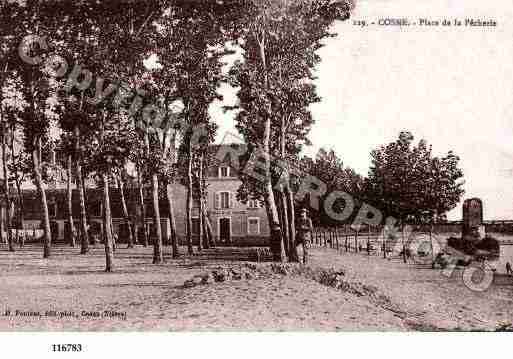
85 87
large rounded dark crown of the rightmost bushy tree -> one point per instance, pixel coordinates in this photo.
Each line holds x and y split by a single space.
411 184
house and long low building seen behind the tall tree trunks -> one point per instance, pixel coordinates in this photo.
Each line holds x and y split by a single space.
233 222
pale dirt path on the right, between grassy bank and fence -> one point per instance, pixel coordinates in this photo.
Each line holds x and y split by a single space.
437 300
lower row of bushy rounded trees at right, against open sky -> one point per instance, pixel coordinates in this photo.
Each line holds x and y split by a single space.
405 181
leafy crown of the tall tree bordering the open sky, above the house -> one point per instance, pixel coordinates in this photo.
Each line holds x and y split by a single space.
275 77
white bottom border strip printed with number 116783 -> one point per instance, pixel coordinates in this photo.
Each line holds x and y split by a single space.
232 345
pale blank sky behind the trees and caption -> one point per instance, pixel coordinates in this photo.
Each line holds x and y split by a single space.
452 86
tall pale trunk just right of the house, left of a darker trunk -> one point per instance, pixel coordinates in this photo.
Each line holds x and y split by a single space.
270 202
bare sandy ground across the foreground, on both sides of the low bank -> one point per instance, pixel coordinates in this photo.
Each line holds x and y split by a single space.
71 292
